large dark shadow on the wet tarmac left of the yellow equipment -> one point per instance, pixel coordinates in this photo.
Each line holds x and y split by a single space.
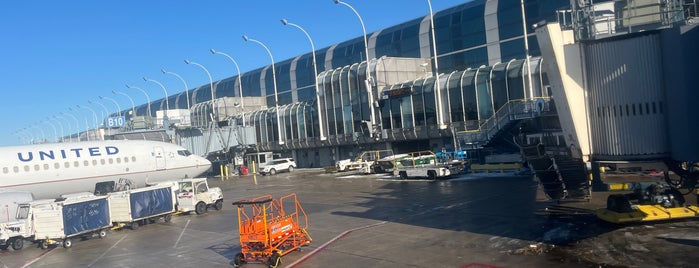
497 206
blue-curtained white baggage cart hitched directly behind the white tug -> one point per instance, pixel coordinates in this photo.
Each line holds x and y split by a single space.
135 207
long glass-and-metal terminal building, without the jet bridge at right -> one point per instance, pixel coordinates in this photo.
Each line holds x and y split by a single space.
390 101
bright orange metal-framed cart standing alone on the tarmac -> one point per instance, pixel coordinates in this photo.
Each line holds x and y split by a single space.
270 228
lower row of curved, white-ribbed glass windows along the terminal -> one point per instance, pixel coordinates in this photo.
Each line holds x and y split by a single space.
472 96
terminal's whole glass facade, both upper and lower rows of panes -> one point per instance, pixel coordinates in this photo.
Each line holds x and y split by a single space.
474 85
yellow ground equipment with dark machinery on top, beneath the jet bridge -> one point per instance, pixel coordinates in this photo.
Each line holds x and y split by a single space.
655 202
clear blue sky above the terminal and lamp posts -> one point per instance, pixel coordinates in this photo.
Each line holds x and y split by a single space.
59 54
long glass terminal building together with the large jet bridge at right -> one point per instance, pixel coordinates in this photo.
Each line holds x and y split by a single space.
558 73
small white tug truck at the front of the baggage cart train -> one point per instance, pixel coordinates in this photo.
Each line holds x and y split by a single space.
195 195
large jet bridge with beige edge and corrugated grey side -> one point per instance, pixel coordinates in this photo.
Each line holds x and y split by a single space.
614 68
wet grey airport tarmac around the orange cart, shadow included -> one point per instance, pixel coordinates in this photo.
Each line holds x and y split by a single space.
479 220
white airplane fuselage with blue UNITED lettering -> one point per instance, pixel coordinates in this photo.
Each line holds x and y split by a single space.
50 170
